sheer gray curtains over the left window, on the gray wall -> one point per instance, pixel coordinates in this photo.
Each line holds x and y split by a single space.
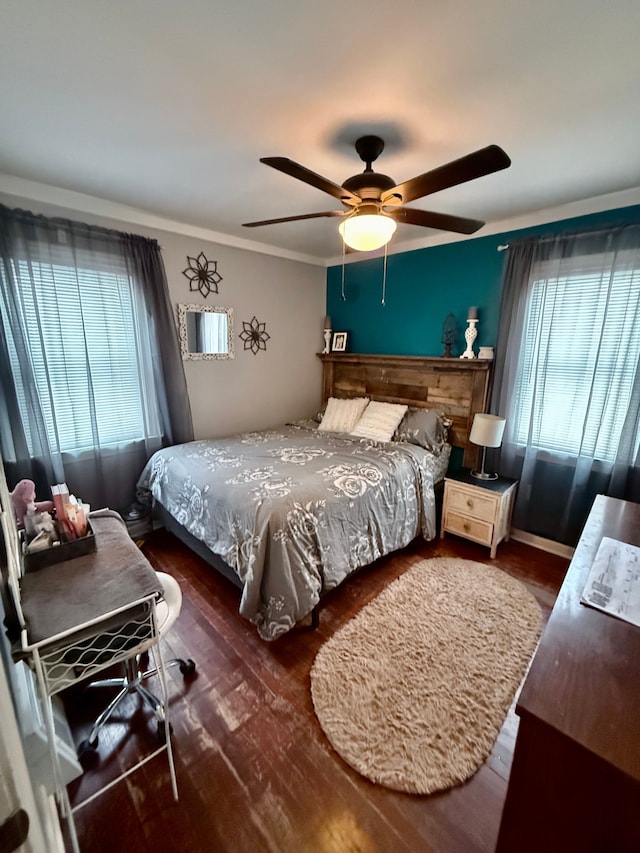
92 380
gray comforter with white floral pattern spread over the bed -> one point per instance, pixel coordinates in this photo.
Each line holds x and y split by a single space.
294 511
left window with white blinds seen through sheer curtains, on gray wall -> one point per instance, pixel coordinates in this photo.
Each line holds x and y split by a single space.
88 354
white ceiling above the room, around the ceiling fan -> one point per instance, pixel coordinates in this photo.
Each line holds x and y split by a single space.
167 106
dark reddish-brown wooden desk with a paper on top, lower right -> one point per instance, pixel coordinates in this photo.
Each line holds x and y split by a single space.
575 780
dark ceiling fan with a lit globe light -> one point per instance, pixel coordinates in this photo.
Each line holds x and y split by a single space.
374 203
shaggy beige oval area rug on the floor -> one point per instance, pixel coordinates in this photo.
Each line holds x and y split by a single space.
412 692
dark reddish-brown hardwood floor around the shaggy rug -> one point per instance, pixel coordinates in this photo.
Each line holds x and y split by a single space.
255 771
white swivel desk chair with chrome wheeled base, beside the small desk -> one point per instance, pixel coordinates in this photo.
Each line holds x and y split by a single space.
167 611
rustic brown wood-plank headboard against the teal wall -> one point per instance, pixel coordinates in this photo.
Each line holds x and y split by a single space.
458 387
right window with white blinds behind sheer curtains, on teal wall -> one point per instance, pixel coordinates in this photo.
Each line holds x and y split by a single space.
579 356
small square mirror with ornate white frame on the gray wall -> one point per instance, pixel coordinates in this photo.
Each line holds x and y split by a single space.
206 331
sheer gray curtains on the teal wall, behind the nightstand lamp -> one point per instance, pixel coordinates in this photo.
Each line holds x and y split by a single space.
557 488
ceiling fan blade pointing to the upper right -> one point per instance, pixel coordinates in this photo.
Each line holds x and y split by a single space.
475 165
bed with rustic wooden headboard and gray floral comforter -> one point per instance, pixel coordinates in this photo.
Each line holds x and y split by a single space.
288 513
